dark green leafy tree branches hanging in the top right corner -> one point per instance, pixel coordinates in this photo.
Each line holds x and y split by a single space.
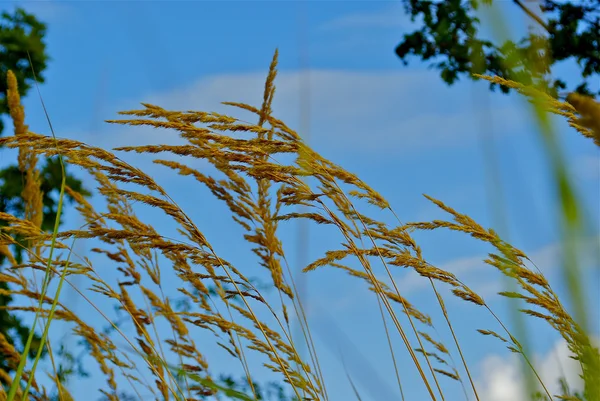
448 37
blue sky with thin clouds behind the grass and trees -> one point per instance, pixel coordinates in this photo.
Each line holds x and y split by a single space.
399 128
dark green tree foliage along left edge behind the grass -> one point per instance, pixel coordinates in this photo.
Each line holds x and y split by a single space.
23 51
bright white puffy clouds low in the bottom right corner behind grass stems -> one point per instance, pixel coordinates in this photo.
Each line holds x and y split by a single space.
500 379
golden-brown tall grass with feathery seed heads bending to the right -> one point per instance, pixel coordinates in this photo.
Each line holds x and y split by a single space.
246 322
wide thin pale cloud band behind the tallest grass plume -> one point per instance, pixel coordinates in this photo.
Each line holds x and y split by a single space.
374 111
